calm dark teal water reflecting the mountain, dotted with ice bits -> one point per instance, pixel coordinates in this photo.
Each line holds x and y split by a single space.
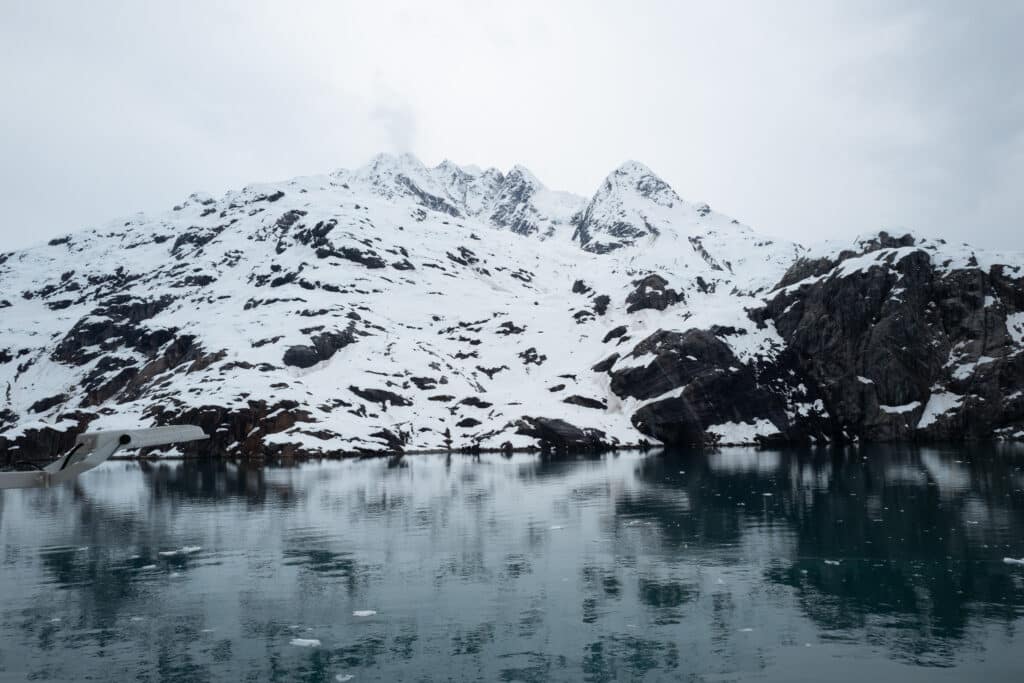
734 566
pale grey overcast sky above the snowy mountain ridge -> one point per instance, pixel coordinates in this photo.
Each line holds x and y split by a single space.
806 120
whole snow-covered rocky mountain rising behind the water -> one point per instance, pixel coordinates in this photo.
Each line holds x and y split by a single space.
403 308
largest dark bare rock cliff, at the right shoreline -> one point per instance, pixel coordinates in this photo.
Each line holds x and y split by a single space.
903 348
